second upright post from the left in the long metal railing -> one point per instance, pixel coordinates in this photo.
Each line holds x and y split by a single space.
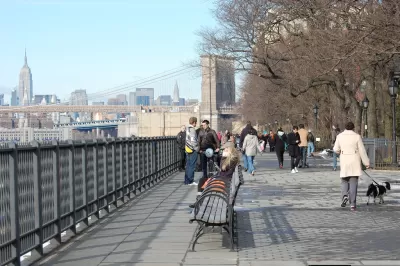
37 195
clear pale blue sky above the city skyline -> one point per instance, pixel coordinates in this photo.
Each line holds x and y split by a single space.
99 44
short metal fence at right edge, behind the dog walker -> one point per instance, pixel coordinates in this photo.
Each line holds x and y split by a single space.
382 153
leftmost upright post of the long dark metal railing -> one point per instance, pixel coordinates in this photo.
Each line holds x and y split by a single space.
14 203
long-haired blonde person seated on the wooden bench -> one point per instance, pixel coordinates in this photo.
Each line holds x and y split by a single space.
229 160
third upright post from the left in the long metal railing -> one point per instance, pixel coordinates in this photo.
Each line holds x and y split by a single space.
57 188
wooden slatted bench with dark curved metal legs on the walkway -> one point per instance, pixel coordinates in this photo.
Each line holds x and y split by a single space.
215 207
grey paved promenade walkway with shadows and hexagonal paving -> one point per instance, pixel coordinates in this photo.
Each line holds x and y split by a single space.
283 220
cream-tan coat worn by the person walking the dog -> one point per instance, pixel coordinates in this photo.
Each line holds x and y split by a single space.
352 152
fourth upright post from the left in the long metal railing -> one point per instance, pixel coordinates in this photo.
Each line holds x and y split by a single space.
71 178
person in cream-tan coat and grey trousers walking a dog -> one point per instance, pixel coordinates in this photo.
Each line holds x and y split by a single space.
350 146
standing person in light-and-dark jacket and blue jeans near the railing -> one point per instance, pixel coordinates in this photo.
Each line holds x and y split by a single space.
191 149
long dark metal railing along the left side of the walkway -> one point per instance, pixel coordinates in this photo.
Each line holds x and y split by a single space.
47 189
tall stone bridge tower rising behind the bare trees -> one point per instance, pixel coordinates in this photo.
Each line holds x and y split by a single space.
217 88
